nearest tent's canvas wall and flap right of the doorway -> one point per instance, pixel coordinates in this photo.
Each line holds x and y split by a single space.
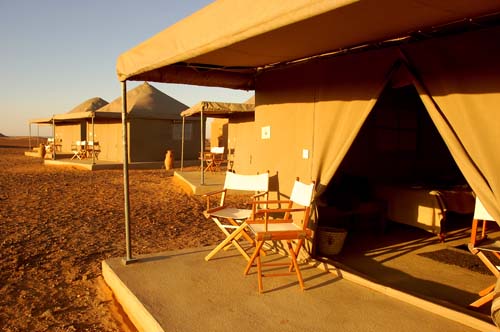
461 76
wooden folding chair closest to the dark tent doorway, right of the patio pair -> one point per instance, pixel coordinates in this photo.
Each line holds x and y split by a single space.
282 228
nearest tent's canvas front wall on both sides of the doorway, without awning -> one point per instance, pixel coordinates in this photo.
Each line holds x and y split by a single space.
454 77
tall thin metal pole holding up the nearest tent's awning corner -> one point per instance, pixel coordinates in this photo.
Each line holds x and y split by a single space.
128 258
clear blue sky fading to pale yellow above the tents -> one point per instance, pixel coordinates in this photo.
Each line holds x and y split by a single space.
55 54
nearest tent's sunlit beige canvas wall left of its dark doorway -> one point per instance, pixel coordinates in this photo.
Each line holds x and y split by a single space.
320 113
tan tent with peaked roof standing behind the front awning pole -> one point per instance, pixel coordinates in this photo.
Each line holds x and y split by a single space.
154 126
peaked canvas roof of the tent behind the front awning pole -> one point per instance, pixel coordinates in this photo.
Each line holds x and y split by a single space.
145 102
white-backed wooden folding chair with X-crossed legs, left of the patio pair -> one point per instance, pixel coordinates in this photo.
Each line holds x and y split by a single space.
231 220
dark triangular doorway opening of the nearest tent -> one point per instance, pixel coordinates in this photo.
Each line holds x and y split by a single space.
396 160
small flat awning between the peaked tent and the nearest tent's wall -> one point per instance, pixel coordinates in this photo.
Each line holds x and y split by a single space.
216 109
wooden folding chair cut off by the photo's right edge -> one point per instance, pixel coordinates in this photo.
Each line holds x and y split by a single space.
479 246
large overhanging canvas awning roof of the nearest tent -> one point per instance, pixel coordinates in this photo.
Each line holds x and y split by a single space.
228 42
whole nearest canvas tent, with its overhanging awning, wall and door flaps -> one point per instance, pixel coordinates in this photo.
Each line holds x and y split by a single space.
318 75
